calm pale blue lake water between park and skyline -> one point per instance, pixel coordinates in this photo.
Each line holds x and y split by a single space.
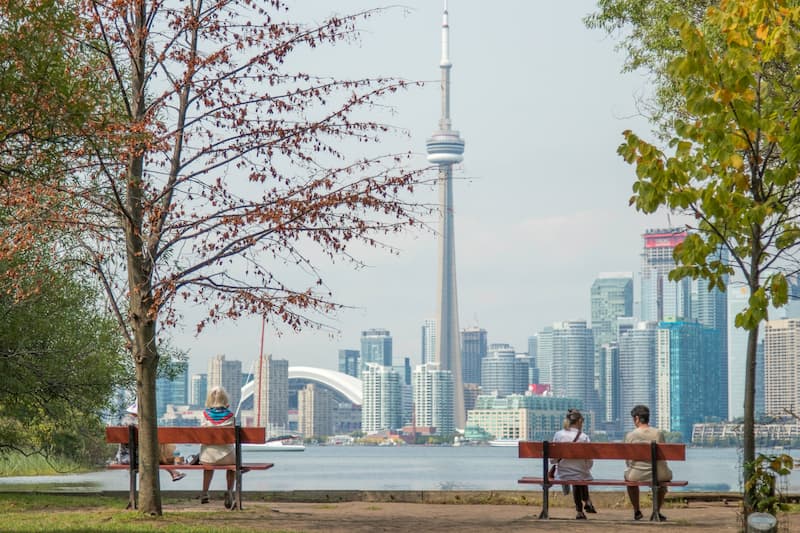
412 468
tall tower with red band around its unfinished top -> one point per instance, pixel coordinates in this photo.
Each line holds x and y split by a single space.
660 297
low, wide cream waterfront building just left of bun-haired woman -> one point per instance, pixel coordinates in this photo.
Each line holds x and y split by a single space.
522 417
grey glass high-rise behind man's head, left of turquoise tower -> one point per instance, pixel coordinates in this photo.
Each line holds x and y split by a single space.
637 370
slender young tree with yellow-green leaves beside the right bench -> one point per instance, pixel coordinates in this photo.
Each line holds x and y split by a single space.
732 161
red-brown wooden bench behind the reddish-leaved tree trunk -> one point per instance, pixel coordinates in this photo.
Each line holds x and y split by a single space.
235 435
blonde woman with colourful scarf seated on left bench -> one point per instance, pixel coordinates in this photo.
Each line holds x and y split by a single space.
218 413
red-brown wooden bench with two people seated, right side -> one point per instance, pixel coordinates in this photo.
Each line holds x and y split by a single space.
639 451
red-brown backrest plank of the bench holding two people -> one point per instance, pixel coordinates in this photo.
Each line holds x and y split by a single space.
634 451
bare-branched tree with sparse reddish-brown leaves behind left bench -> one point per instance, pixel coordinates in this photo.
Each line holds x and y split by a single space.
222 174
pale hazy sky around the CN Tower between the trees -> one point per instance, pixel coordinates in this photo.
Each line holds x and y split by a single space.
541 205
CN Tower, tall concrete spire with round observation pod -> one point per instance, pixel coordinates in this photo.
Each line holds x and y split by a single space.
445 148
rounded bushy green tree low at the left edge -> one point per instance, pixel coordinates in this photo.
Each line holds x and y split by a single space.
62 358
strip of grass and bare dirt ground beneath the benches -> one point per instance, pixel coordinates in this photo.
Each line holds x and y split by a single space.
373 512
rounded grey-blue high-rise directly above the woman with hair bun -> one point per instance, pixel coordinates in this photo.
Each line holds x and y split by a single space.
573 362
